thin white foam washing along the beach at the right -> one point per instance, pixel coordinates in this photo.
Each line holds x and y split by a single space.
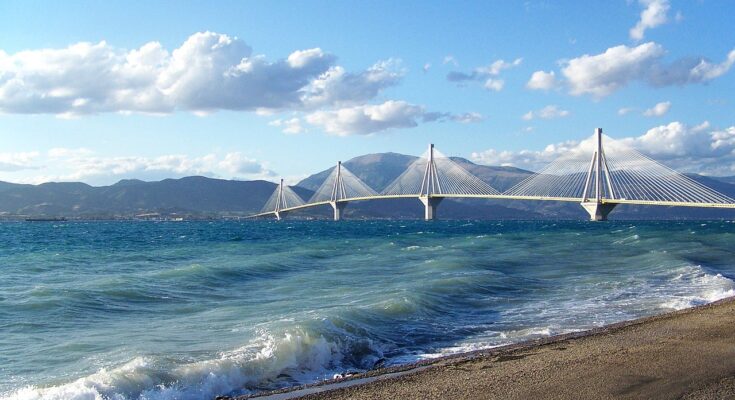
680 288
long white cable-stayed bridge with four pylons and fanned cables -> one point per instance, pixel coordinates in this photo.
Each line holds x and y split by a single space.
595 177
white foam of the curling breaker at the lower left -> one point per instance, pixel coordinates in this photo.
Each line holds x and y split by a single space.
297 357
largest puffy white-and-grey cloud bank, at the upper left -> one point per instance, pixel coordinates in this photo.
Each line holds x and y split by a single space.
207 73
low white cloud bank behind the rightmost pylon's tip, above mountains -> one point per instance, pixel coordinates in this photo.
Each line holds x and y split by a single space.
697 149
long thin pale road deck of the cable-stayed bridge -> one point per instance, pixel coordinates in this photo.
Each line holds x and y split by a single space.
499 197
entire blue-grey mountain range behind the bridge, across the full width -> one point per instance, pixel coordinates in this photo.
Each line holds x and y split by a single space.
201 197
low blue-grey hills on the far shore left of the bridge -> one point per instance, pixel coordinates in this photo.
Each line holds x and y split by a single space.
193 195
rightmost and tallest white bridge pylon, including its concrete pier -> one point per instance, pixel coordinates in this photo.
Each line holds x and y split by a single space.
598 186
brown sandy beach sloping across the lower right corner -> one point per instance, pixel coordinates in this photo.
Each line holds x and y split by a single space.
689 354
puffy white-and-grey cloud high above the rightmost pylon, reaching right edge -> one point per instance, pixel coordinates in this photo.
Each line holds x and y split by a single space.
602 74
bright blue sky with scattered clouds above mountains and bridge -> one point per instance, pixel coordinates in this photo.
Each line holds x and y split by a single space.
102 91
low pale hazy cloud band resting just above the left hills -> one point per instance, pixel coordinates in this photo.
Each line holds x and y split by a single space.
62 164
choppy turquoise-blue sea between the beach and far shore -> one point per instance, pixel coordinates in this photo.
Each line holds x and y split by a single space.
189 310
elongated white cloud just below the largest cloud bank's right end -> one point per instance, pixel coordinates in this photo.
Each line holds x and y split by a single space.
367 119
